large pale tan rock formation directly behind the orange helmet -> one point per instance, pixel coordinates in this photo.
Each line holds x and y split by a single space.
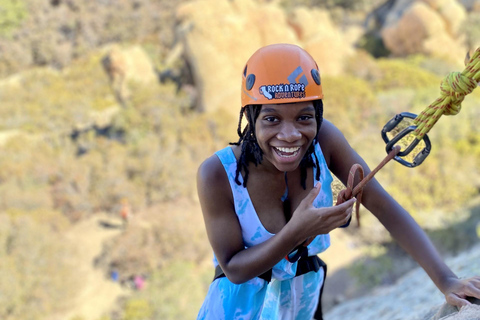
223 34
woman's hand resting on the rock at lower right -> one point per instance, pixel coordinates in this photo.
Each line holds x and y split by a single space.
459 289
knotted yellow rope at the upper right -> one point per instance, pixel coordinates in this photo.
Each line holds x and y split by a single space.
454 87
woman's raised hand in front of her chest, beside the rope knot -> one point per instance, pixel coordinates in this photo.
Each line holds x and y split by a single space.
312 221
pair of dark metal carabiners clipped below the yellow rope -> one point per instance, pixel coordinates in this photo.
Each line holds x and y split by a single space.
392 124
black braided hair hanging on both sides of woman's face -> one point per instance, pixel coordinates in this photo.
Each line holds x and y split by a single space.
251 151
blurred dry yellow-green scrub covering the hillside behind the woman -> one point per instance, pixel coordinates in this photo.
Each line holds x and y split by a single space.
70 151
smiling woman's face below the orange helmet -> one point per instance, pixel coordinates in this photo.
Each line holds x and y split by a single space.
284 133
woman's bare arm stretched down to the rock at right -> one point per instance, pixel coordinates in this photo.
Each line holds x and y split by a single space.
394 217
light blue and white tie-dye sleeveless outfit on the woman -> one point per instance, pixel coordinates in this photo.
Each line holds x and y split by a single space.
286 296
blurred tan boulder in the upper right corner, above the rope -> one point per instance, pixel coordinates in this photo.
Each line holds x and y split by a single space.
425 26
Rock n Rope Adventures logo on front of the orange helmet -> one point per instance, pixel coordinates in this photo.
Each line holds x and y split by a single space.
290 90
